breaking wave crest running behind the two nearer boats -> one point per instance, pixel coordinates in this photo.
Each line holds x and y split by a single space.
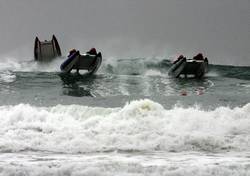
128 66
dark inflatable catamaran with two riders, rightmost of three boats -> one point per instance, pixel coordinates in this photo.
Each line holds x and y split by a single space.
183 66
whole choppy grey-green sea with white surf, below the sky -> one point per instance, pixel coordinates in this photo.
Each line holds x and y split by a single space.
128 119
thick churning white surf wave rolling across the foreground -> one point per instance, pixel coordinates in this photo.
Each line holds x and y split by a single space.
141 125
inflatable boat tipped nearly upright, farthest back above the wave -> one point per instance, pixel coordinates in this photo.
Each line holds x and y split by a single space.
46 50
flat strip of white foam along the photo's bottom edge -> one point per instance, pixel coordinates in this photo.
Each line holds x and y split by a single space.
107 164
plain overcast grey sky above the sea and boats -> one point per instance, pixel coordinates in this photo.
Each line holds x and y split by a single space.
133 28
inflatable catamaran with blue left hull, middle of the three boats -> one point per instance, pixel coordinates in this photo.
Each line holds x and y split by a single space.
88 62
